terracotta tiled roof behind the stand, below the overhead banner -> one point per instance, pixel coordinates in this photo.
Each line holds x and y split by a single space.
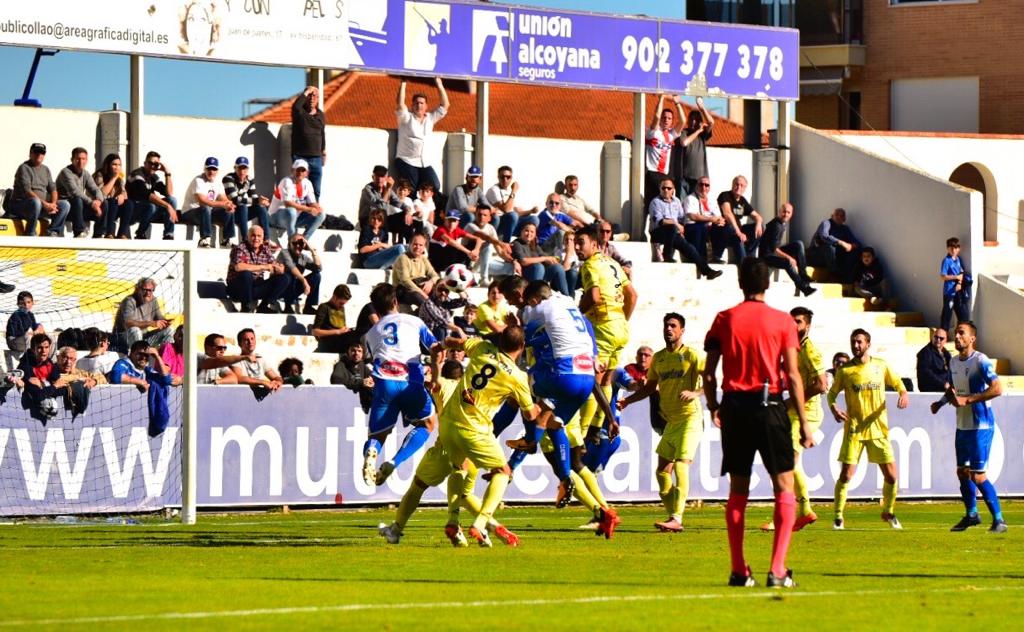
366 100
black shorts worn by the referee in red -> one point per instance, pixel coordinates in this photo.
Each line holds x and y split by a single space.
748 428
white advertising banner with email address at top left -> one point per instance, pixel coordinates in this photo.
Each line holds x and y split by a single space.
303 33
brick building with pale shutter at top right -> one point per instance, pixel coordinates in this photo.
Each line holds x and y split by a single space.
952 66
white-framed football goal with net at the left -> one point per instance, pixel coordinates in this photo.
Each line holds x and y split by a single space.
102 460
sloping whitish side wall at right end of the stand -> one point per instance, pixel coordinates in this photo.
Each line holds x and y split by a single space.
906 215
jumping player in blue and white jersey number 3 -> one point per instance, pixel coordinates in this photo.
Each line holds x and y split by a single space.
397 345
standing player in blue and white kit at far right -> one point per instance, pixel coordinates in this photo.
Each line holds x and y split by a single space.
975 386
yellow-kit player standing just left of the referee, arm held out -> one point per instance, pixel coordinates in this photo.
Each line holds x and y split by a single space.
675 374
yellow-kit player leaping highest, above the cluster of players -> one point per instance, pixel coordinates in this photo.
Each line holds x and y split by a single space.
608 302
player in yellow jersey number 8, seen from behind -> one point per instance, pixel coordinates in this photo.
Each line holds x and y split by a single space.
467 431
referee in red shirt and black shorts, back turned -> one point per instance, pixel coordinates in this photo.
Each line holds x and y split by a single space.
758 348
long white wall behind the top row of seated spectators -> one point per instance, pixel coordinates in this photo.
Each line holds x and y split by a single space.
353 152
